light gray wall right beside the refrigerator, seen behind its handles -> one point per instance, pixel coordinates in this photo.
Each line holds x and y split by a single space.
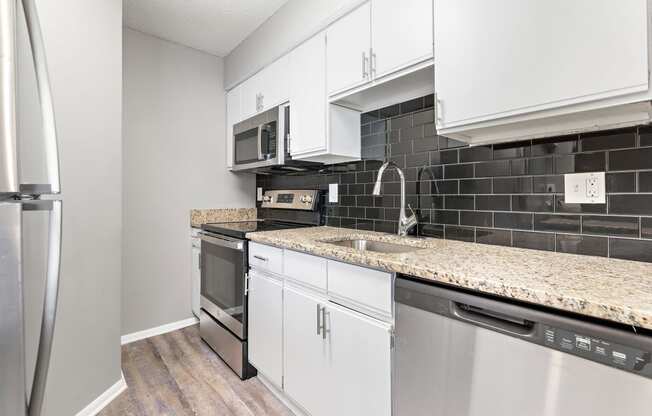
83 43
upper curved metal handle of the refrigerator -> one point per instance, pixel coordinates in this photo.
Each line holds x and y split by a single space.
45 94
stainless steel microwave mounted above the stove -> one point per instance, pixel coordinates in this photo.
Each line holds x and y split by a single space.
261 143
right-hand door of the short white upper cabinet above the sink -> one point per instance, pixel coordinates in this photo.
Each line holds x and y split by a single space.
396 49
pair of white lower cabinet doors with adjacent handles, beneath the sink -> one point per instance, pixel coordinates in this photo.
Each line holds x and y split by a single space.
347 371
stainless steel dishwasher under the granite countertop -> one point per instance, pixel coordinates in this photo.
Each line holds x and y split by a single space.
459 354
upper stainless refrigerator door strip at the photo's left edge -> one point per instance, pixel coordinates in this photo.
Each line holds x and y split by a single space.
8 155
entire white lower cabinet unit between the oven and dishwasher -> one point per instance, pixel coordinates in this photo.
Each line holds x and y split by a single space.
327 359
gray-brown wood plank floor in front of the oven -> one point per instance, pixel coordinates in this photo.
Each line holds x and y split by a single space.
178 374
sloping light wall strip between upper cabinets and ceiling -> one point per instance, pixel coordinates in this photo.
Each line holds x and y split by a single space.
293 23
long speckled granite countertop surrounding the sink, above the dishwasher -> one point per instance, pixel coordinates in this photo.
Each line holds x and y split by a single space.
617 290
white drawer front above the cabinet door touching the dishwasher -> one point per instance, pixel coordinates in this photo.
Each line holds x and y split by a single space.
366 287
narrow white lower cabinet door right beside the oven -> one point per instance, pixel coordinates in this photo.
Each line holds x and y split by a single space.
266 326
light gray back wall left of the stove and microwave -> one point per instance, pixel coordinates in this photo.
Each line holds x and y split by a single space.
174 143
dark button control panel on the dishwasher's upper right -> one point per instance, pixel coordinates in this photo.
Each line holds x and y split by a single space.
596 349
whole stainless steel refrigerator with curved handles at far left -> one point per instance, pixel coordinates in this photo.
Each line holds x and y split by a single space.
21 200
